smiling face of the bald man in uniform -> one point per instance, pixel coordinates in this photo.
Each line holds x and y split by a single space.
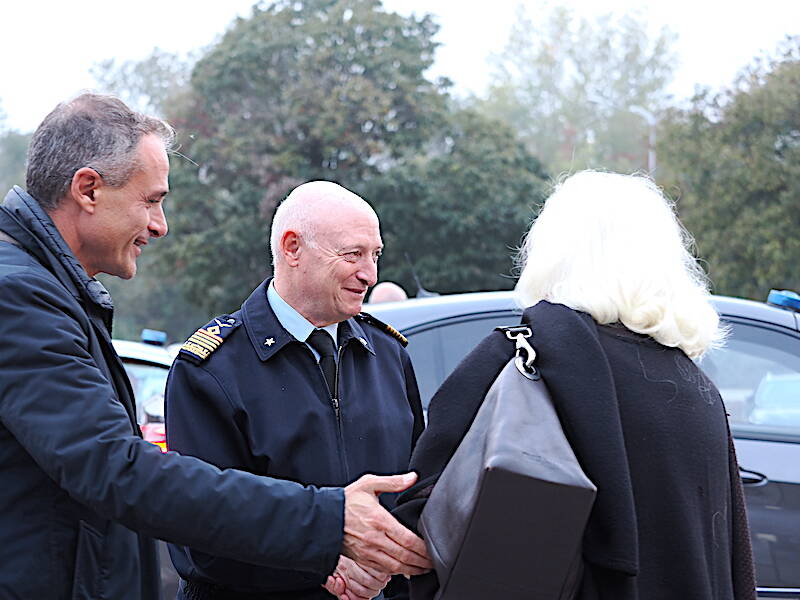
337 268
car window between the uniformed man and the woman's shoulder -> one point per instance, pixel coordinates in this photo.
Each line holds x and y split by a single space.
437 349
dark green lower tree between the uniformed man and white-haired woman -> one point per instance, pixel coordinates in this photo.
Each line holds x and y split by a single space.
461 211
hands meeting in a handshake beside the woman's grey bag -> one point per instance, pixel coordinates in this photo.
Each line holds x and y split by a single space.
375 545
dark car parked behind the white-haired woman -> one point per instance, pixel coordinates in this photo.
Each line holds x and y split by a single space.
757 373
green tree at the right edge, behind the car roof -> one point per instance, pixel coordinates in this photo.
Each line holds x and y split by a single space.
733 158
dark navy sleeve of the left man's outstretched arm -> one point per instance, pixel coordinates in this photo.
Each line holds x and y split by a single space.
60 407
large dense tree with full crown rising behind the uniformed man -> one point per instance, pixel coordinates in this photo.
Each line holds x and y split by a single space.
330 89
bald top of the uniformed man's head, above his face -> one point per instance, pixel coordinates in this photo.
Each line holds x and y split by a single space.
310 206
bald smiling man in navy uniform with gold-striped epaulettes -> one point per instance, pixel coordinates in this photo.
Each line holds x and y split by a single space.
298 384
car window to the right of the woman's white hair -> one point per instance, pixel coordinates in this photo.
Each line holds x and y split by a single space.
758 376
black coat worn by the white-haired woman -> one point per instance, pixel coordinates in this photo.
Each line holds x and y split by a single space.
649 429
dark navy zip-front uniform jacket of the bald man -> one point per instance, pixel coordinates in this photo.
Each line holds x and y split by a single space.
259 403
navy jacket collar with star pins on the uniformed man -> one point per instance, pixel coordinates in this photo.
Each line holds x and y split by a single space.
268 336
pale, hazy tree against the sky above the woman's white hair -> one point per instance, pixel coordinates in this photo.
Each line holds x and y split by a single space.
575 90
